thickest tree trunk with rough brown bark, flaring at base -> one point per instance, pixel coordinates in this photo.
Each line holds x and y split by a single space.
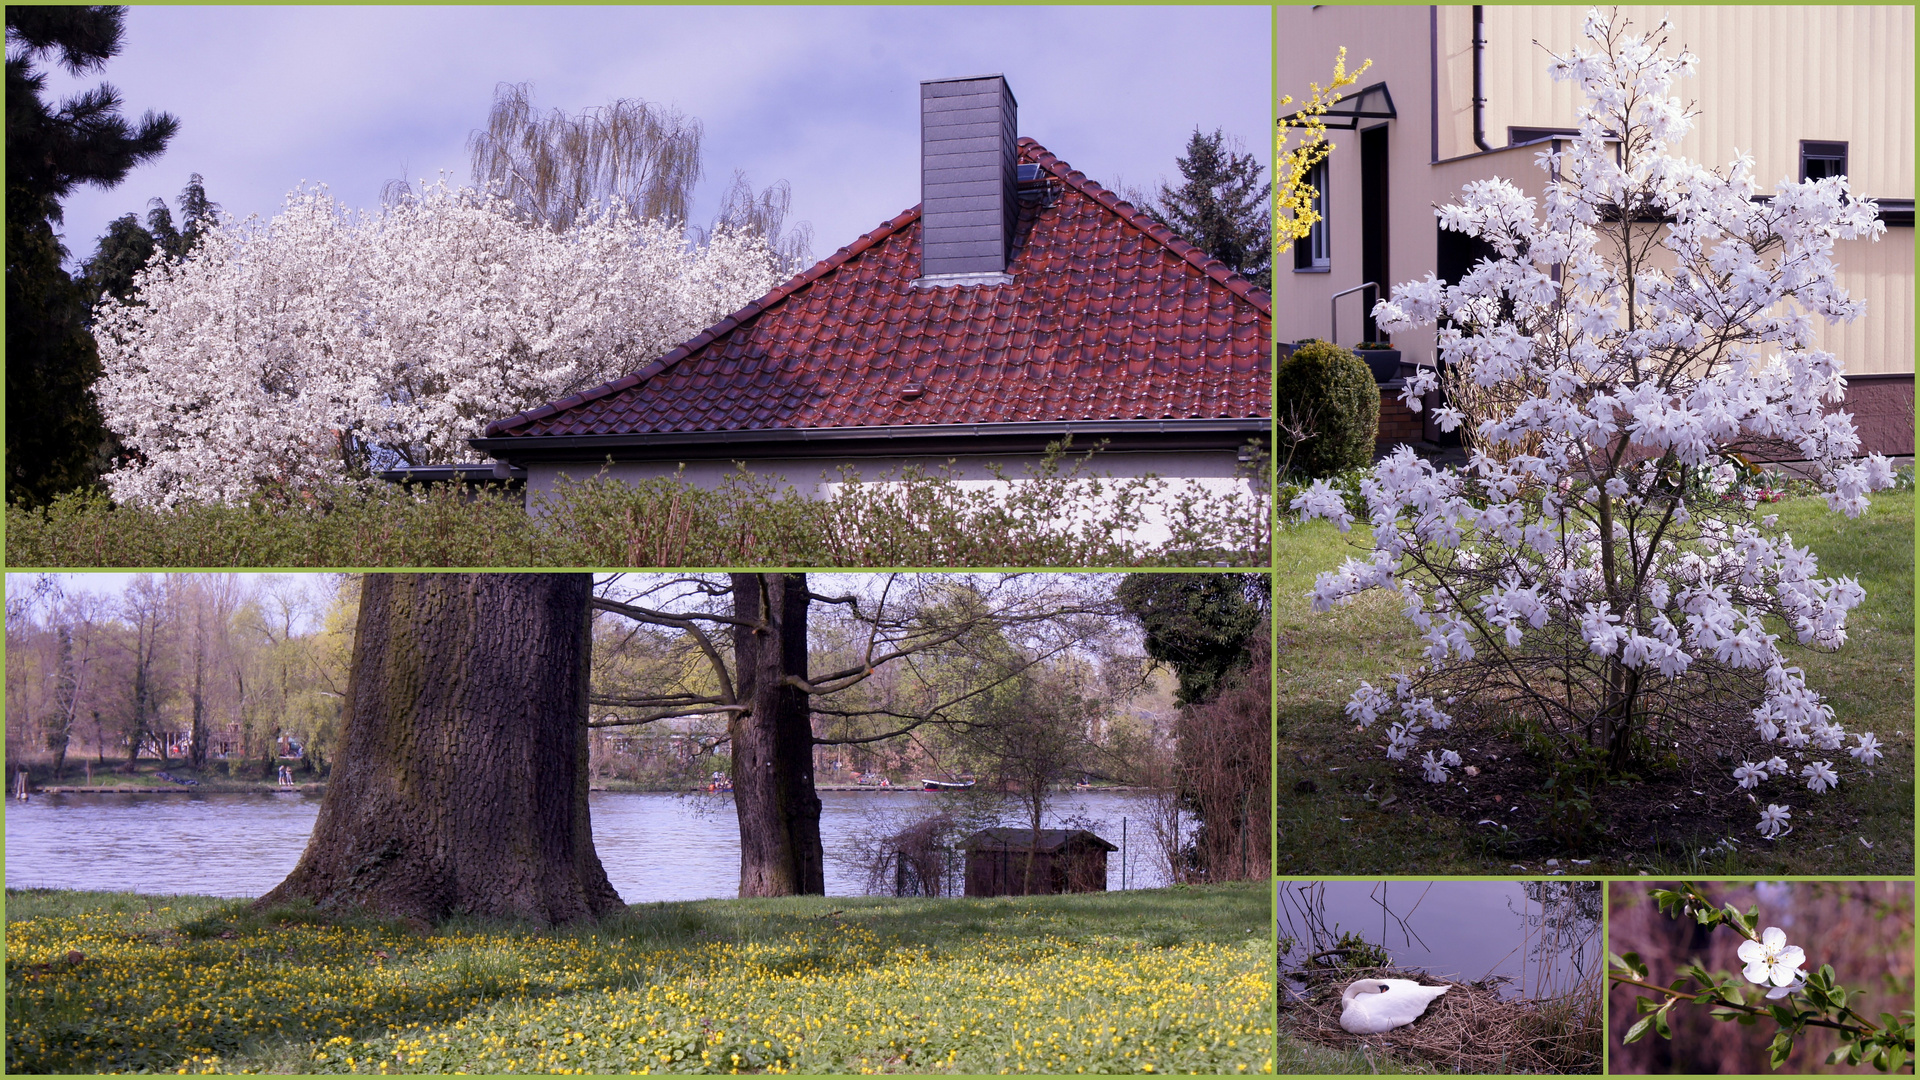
460 783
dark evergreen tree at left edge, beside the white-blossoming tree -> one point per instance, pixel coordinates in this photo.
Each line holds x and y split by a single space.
55 435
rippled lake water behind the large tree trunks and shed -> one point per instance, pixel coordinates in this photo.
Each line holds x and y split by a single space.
656 847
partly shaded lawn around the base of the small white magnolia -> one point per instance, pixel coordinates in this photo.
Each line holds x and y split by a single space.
1347 810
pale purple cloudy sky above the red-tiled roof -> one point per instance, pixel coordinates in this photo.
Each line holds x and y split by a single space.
821 97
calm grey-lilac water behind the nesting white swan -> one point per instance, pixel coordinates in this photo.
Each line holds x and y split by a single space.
1539 935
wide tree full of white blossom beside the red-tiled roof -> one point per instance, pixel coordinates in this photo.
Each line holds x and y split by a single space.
327 345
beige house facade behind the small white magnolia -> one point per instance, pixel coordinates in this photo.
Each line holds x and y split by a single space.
1462 93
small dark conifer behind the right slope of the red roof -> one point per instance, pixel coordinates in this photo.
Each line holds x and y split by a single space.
1222 207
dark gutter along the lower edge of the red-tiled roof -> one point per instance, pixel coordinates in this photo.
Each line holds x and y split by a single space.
880 441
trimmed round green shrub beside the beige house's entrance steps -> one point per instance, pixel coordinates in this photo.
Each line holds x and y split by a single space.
1330 393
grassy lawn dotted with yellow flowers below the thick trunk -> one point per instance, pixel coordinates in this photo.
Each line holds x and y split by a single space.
1163 981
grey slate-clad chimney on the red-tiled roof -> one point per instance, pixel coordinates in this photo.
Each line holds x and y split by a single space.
967 182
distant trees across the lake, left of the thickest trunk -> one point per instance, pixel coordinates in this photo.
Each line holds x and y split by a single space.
199 672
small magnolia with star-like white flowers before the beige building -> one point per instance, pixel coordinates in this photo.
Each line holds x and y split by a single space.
1598 570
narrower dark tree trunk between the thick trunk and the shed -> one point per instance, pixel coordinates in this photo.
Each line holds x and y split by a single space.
775 743
